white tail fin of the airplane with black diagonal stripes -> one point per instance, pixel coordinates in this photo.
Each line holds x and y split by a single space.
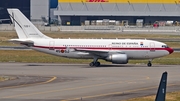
24 28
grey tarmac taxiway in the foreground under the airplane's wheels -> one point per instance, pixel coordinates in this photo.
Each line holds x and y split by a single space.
79 82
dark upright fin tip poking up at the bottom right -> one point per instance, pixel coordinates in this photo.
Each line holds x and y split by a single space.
161 93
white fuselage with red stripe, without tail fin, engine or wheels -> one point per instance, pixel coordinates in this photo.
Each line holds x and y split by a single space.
135 49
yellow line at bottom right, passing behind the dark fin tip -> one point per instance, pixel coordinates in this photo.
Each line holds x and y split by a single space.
113 93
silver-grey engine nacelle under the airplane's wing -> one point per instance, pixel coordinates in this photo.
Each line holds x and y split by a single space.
117 58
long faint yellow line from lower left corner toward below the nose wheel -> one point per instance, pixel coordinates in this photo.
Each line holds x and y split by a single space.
67 89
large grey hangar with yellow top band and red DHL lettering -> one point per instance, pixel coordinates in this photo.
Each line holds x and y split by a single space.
77 11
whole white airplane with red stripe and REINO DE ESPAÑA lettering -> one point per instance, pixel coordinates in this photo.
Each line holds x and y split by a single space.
117 51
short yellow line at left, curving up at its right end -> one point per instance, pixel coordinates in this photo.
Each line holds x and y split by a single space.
52 79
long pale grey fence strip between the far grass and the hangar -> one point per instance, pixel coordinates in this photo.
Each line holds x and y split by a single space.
175 29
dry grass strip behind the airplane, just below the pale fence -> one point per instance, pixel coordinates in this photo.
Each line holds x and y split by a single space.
10 35
